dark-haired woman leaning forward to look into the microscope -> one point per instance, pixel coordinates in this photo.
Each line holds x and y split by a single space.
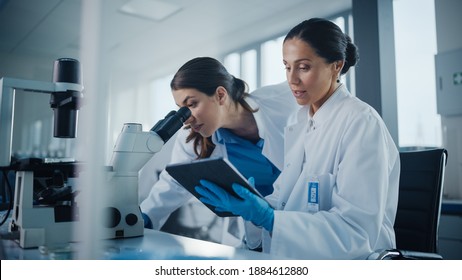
226 121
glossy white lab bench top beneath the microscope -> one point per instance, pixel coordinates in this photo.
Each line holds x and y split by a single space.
154 245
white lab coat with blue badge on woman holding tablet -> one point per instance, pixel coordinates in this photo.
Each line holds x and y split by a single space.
347 147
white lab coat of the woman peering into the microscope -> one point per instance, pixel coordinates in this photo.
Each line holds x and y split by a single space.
275 104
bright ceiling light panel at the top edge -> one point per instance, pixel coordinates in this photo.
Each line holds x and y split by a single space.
150 9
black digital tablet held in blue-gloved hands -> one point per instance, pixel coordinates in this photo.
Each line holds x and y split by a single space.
217 170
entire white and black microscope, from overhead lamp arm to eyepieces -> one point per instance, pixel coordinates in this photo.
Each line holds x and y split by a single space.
46 207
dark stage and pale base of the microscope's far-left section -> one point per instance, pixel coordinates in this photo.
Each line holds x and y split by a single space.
44 210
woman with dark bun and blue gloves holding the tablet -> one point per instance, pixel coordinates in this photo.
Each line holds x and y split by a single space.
337 195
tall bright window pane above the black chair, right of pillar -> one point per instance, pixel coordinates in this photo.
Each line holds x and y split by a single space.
418 122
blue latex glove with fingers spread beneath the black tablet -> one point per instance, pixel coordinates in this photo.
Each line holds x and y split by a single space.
251 207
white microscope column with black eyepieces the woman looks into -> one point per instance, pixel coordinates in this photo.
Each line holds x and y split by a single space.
132 150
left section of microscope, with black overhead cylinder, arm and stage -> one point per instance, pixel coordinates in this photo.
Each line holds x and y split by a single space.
45 218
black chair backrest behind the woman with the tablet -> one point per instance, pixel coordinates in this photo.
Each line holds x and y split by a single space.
419 203
